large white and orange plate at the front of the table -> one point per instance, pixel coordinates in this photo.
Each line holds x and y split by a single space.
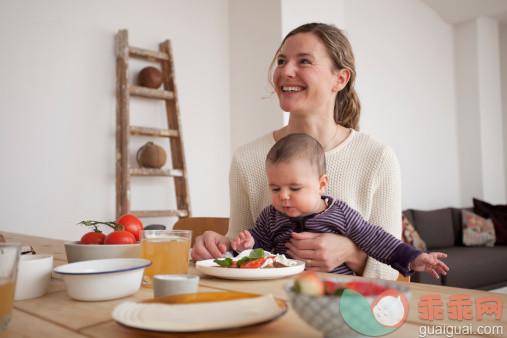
200 312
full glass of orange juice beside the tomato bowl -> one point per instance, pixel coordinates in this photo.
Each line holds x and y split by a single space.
168 250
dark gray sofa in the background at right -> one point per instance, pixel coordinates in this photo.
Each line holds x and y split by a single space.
483 268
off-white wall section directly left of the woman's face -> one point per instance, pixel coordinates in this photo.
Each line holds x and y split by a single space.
255 31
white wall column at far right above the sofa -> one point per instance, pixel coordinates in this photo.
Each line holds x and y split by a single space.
479 101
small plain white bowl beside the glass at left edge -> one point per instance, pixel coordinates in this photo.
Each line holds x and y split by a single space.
34 276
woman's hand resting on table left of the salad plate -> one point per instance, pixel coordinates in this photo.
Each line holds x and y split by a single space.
210 245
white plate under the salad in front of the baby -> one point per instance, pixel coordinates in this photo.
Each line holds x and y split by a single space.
208 267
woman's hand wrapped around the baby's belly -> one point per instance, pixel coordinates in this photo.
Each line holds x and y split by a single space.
323 251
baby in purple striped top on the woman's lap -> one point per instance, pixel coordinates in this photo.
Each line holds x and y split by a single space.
296 170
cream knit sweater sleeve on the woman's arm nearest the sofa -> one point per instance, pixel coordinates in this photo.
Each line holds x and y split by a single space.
386 209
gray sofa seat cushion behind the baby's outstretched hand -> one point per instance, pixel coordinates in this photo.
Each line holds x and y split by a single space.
475 267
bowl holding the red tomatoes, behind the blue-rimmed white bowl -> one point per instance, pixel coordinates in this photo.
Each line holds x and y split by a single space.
82 252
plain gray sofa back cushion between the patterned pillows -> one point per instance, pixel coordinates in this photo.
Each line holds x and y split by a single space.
435 227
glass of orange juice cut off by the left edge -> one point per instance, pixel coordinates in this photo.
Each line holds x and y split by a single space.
9 256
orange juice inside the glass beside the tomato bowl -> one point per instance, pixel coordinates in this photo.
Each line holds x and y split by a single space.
169 255
